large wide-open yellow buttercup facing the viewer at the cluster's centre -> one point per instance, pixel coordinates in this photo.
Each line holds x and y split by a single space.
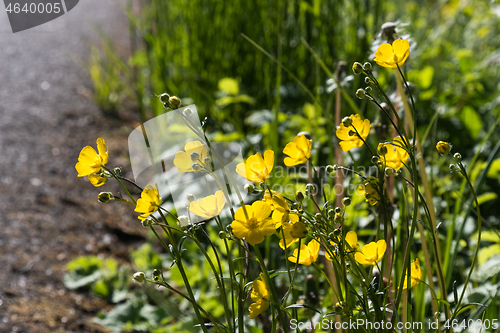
256 226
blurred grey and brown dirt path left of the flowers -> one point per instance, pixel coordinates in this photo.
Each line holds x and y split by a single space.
48 215
